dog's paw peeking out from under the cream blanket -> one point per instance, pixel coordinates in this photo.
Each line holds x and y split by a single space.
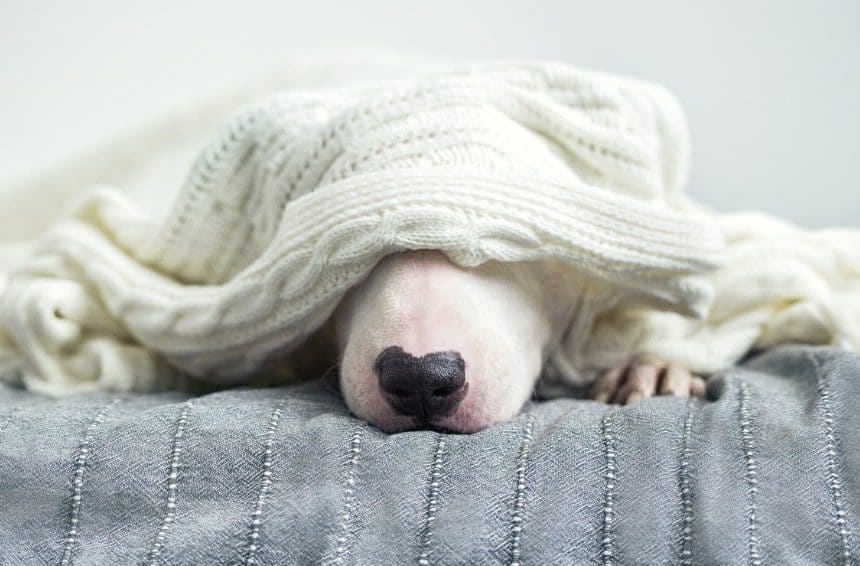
644 377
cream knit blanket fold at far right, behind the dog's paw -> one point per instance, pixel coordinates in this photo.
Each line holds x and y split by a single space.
780 284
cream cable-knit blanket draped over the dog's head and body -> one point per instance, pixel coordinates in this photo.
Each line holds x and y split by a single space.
306 190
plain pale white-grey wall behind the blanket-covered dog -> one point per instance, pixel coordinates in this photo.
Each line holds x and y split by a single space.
771 88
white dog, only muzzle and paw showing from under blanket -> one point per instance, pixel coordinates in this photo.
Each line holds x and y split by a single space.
422 343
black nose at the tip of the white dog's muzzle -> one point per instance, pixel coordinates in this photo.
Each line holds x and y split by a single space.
426 387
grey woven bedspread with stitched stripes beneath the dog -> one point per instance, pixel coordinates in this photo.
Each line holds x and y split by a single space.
765 474
